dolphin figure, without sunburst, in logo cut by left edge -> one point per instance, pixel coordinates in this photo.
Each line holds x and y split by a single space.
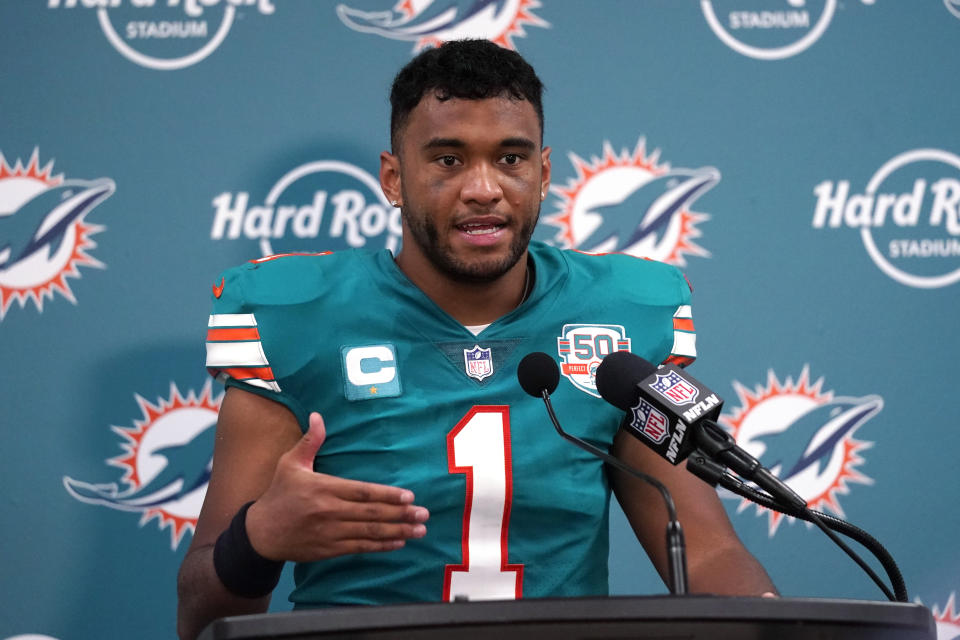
43 220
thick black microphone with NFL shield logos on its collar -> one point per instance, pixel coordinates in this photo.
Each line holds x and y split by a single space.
674 414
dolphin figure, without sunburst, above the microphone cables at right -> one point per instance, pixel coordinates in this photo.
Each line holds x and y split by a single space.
794 450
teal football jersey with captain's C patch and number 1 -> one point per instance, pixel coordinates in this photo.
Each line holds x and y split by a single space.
413 399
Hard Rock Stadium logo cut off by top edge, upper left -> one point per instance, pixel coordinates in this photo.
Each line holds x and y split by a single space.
166 34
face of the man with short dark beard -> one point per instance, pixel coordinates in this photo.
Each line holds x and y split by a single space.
470 175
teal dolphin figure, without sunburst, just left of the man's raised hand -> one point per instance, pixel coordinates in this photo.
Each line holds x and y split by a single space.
187 469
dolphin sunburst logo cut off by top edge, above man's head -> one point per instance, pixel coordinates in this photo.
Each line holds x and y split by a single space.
430 23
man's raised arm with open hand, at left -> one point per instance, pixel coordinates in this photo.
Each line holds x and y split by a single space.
297 515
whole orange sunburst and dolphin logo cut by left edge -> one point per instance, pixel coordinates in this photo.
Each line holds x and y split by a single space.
44 234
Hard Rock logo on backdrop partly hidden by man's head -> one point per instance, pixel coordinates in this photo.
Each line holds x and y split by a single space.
328 204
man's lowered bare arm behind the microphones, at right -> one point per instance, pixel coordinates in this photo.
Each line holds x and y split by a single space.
717 562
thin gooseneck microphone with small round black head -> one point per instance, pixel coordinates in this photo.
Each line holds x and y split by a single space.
539 375
